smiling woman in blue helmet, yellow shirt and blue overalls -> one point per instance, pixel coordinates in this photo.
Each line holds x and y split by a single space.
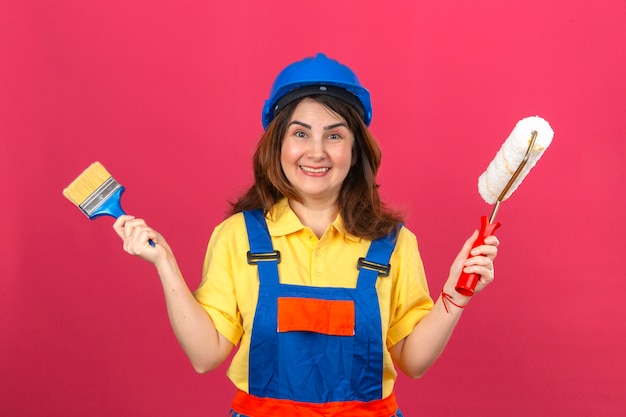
318 283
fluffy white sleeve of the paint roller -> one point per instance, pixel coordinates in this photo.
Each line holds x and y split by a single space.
492 182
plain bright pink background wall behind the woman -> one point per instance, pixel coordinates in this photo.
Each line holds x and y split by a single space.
168 94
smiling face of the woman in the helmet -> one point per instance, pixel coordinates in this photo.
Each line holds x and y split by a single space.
316 152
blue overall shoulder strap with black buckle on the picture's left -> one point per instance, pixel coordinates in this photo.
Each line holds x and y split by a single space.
261 251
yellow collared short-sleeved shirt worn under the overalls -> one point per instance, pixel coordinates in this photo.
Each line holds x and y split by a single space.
229 287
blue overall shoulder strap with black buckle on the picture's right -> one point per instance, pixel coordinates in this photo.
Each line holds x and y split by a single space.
376 262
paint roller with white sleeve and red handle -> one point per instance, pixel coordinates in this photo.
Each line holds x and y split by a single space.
518 154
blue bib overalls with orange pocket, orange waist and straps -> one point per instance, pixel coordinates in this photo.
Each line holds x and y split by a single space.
315 351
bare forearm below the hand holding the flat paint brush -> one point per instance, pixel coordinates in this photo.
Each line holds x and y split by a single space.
193 327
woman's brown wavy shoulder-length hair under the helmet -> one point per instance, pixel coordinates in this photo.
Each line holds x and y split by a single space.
361 208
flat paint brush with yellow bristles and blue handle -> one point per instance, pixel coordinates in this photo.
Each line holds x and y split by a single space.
96 193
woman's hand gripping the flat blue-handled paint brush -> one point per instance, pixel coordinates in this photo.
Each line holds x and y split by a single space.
136 235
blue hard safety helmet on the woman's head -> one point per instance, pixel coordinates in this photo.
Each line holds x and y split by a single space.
317 75
